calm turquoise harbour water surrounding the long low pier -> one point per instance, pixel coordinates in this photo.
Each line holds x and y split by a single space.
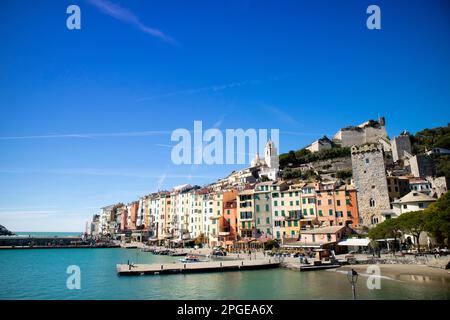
41 274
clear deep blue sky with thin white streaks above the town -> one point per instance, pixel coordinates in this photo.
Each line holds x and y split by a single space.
85 115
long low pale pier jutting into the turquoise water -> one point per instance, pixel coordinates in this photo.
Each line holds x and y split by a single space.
199 267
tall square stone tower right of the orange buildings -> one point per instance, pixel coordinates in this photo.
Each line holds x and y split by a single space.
369 176
